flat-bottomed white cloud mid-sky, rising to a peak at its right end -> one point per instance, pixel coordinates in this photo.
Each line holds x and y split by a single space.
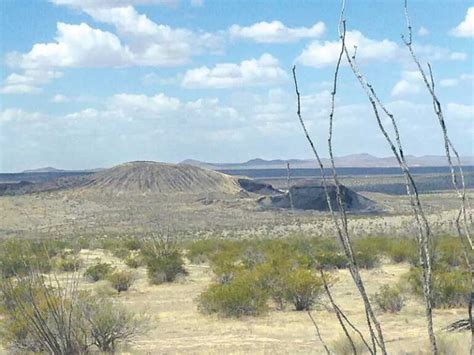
264 70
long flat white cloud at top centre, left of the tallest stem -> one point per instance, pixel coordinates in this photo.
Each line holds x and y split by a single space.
276 32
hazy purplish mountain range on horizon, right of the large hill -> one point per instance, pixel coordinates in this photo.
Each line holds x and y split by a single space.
349 161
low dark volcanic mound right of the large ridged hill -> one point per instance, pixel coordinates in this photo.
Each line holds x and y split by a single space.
313 197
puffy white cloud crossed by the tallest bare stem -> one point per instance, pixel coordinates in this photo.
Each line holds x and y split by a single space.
319 54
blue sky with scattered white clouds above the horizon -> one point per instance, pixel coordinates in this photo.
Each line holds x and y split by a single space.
94 83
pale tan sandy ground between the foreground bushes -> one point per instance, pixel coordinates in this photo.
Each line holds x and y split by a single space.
178 327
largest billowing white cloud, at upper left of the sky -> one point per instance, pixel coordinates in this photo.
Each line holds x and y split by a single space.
139 41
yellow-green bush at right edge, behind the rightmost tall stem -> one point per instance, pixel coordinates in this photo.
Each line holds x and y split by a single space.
451 288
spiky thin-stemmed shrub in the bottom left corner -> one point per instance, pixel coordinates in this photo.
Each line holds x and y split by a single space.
40 318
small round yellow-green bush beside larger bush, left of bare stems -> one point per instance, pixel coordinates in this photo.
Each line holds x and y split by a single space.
302 288
